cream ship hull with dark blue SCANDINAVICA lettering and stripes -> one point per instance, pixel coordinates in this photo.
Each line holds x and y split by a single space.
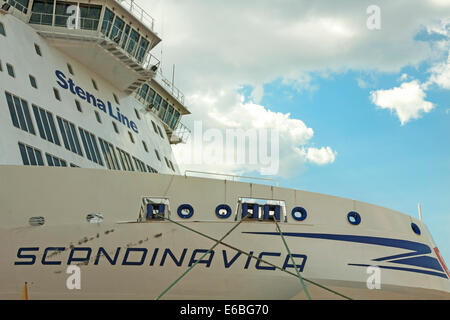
330 251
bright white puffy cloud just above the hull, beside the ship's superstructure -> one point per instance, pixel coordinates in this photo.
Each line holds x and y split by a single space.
281 149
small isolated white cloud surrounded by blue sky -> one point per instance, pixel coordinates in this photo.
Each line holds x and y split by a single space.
408 100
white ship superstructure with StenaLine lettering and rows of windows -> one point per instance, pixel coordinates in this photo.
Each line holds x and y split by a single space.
84 89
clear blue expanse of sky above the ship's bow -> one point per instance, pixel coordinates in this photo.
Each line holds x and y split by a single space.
379 161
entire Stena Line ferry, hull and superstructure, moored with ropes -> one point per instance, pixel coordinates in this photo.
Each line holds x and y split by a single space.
89 180
